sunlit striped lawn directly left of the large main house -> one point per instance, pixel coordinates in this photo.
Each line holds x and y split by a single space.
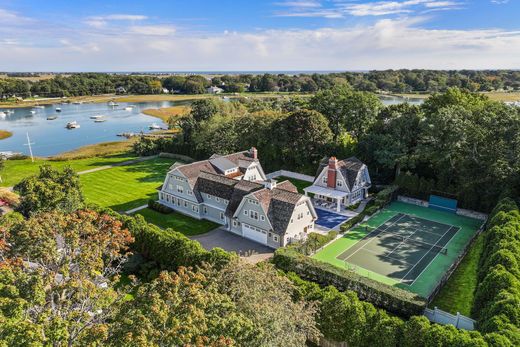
125 187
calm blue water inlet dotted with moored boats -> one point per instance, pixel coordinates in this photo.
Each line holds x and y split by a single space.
51 137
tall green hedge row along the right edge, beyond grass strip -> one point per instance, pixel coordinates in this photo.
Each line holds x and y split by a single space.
497 297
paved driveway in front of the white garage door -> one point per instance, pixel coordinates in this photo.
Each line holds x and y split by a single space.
249 250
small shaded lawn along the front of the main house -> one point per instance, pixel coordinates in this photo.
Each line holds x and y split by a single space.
178 222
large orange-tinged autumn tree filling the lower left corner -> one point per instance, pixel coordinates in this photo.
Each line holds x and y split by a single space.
57 275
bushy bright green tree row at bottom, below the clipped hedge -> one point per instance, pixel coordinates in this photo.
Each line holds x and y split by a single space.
343 317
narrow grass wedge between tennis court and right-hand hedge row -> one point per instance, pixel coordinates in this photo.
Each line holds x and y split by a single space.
458 293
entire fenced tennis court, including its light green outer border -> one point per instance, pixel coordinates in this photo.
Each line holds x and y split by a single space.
403 245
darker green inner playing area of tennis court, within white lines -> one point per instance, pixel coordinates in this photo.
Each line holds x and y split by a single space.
401 248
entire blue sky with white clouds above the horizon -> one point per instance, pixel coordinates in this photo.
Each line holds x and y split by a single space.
200 35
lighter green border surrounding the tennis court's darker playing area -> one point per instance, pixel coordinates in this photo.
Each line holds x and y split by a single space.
427 280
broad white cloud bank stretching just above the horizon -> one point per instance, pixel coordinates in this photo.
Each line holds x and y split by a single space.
388 43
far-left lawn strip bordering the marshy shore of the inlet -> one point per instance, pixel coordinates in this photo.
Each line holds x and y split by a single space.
16 170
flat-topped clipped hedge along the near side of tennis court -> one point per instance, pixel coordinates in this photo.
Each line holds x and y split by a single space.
393 299
